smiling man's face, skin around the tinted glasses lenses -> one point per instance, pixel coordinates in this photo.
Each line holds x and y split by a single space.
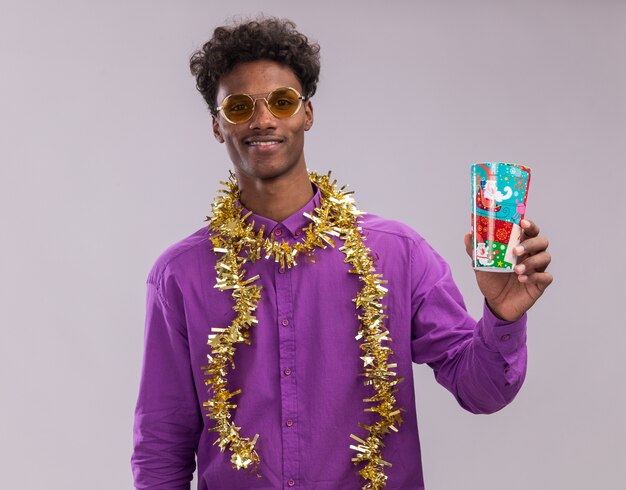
263 147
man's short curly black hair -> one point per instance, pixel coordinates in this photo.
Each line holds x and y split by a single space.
261 39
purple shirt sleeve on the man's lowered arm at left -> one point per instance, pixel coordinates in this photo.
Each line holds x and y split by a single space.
167 419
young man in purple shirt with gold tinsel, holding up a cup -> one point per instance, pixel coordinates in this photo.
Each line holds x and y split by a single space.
313 313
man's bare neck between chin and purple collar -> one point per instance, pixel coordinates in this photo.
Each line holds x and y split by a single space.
279 198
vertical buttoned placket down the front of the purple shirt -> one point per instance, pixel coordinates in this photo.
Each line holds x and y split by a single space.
286 340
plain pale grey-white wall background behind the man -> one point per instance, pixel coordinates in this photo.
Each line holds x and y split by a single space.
107 157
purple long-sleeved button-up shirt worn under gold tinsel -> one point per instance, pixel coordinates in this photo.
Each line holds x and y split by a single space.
301 389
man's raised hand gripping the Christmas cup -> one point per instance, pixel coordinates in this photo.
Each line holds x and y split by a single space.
510 295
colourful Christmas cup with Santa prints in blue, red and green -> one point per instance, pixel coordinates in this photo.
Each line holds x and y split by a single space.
499 192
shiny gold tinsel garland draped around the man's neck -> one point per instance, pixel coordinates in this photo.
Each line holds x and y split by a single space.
237 243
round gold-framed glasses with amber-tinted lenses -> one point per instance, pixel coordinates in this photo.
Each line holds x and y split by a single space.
282 102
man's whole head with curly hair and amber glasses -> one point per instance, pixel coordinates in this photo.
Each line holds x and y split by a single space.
255 59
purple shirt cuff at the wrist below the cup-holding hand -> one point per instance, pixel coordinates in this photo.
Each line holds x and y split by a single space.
500 335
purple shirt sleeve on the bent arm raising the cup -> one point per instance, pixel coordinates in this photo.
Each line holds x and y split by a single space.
483 364
